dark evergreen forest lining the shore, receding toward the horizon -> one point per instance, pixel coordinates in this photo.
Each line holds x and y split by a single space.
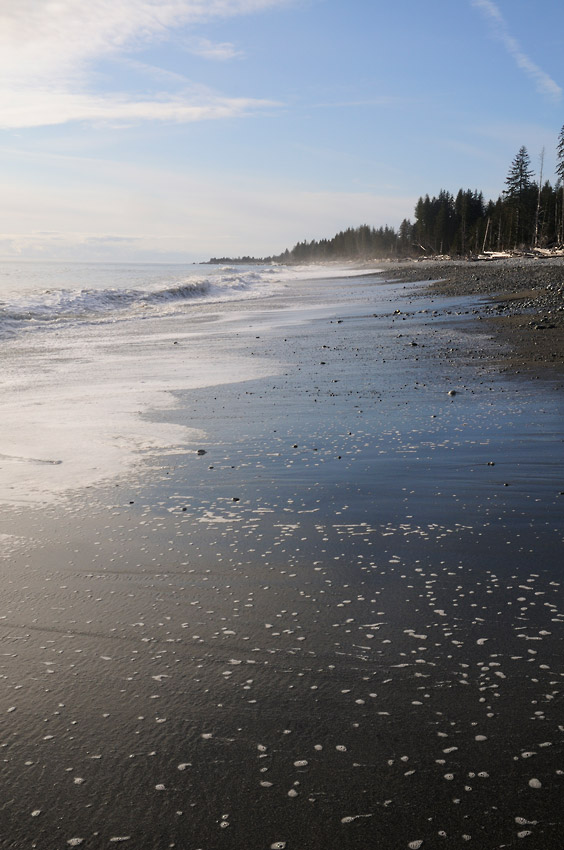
528 214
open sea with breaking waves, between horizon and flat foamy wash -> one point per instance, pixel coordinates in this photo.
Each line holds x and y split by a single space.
117 293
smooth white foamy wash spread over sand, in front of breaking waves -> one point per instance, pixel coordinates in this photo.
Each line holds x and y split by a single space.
76 407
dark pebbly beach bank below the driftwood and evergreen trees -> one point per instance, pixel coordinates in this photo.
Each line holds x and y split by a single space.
523 302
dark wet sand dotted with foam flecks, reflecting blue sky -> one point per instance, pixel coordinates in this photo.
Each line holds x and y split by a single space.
339 624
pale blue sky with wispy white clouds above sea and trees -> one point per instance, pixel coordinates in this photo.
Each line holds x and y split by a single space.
176 130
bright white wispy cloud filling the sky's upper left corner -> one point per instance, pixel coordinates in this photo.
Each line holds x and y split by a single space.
48 52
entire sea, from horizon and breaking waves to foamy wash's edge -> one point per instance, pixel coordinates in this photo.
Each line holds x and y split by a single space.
89 351
